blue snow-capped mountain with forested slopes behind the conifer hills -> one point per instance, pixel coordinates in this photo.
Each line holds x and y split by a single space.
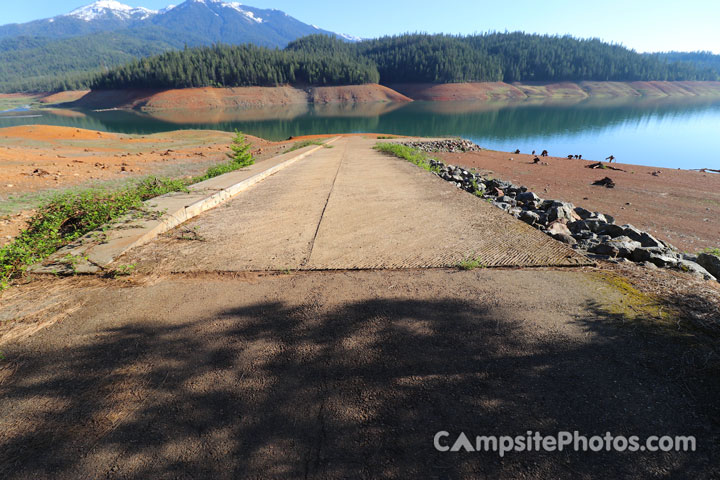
108 33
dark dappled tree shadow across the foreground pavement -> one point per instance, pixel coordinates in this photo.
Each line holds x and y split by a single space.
272 390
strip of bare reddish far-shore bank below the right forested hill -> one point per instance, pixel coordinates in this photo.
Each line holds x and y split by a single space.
517 91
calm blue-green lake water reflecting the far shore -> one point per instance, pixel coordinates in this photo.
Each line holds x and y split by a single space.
674 133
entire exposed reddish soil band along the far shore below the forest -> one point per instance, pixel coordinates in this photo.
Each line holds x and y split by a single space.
249 97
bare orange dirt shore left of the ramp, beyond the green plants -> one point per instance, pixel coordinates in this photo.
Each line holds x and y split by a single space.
39 160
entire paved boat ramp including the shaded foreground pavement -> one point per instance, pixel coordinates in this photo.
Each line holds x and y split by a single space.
343 374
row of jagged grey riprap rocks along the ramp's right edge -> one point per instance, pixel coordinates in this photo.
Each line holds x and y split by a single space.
593 233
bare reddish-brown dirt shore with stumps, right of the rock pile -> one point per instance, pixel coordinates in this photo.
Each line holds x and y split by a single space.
679 206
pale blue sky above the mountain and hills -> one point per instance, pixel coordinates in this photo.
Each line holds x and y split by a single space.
644 25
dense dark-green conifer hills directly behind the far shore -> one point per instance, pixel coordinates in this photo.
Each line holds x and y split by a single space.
323 60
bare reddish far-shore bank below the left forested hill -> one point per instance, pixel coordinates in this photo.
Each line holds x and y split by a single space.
222 98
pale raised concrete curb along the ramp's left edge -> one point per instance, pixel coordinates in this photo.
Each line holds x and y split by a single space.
92 257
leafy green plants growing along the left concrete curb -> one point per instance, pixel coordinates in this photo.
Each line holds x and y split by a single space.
66 217
